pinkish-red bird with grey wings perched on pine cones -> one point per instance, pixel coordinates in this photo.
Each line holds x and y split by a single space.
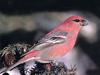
55 44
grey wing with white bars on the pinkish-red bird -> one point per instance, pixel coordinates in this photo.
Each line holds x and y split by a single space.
51 39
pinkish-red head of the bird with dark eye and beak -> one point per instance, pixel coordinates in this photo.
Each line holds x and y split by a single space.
77 20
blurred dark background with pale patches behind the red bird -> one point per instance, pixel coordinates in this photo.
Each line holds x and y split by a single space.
26 21
